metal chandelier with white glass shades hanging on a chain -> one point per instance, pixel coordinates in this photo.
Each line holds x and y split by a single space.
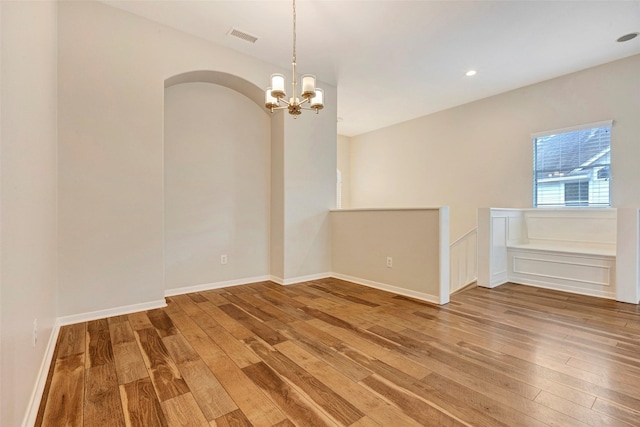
310 94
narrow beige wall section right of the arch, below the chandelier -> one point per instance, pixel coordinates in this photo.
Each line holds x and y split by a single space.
309 192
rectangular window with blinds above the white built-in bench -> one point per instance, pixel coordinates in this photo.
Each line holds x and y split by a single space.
572 166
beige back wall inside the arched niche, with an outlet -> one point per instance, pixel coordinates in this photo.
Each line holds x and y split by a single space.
216 185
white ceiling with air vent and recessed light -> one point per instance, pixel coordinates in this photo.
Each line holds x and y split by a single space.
395 60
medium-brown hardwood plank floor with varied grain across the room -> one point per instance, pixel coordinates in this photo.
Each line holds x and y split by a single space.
331 353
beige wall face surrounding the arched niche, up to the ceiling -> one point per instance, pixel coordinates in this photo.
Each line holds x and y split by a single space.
112 68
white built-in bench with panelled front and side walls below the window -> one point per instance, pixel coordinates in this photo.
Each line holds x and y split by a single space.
567 249
